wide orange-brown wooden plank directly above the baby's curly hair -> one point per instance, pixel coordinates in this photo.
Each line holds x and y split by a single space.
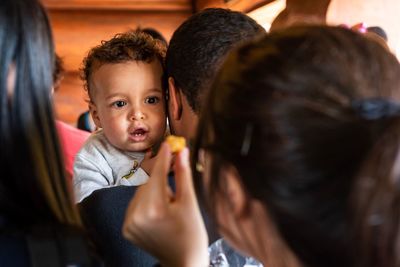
75 32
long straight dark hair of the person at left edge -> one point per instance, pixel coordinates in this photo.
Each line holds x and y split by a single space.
33 187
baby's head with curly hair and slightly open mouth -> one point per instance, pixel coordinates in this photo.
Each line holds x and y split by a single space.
124 79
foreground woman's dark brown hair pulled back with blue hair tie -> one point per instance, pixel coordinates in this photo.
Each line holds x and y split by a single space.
310 117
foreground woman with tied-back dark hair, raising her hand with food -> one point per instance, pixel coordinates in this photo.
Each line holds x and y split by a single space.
298 147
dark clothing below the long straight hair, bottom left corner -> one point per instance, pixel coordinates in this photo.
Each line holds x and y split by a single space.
45 245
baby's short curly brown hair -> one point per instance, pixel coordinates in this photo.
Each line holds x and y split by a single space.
129 46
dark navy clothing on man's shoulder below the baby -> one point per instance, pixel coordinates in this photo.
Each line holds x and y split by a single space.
103 213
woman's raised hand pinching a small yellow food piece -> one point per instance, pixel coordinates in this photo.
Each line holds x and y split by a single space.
168 225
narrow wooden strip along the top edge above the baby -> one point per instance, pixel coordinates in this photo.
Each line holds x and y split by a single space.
133 5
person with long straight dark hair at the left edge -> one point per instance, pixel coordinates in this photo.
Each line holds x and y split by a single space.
38 223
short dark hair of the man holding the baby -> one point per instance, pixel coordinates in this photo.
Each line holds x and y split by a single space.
198 47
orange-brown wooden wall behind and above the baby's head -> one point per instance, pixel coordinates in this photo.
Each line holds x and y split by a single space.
79 25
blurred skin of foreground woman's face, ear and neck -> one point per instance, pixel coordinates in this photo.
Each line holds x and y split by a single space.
244 222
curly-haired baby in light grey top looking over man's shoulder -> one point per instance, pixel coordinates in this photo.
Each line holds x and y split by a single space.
124 81
